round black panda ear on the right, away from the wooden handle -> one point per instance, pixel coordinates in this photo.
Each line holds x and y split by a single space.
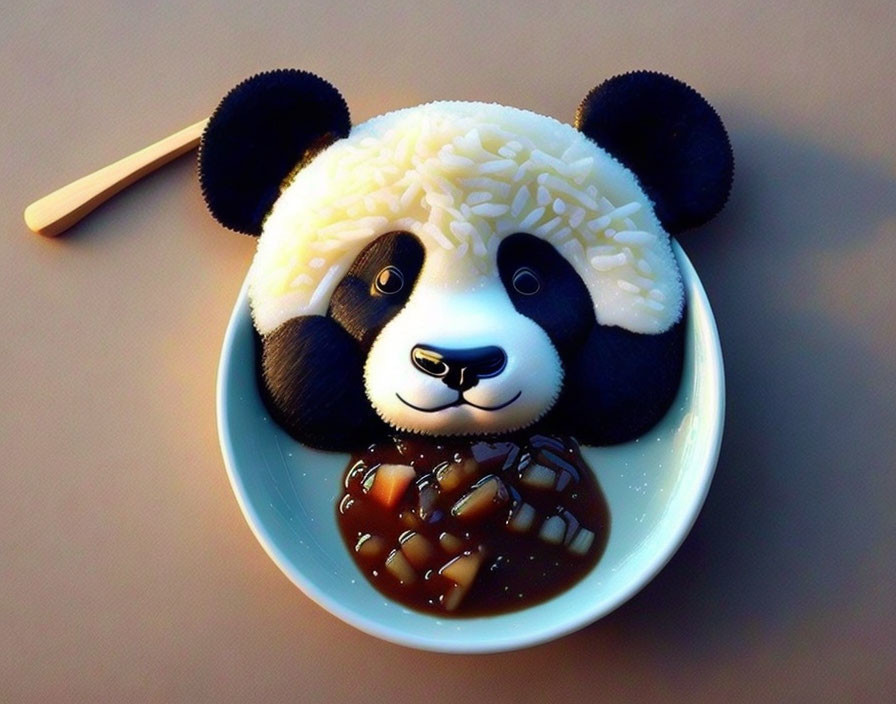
670 137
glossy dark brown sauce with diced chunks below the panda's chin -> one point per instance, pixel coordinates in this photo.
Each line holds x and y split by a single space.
473 526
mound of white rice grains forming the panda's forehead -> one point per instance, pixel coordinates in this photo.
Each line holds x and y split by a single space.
461 176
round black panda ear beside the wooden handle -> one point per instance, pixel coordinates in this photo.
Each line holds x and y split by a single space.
262 130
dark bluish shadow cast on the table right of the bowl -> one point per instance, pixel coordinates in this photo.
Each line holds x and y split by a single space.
795 524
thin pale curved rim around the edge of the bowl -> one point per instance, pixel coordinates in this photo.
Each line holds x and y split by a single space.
707 461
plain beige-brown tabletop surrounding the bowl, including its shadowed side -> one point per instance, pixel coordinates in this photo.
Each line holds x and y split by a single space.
126 568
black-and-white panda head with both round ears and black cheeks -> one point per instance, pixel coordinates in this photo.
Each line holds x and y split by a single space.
465 268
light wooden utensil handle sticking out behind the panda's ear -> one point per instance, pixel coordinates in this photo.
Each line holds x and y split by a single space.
61 209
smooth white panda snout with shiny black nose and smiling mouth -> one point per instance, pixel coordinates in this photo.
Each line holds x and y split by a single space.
460 362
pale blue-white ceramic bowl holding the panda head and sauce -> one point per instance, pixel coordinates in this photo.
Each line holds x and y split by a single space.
655 487
